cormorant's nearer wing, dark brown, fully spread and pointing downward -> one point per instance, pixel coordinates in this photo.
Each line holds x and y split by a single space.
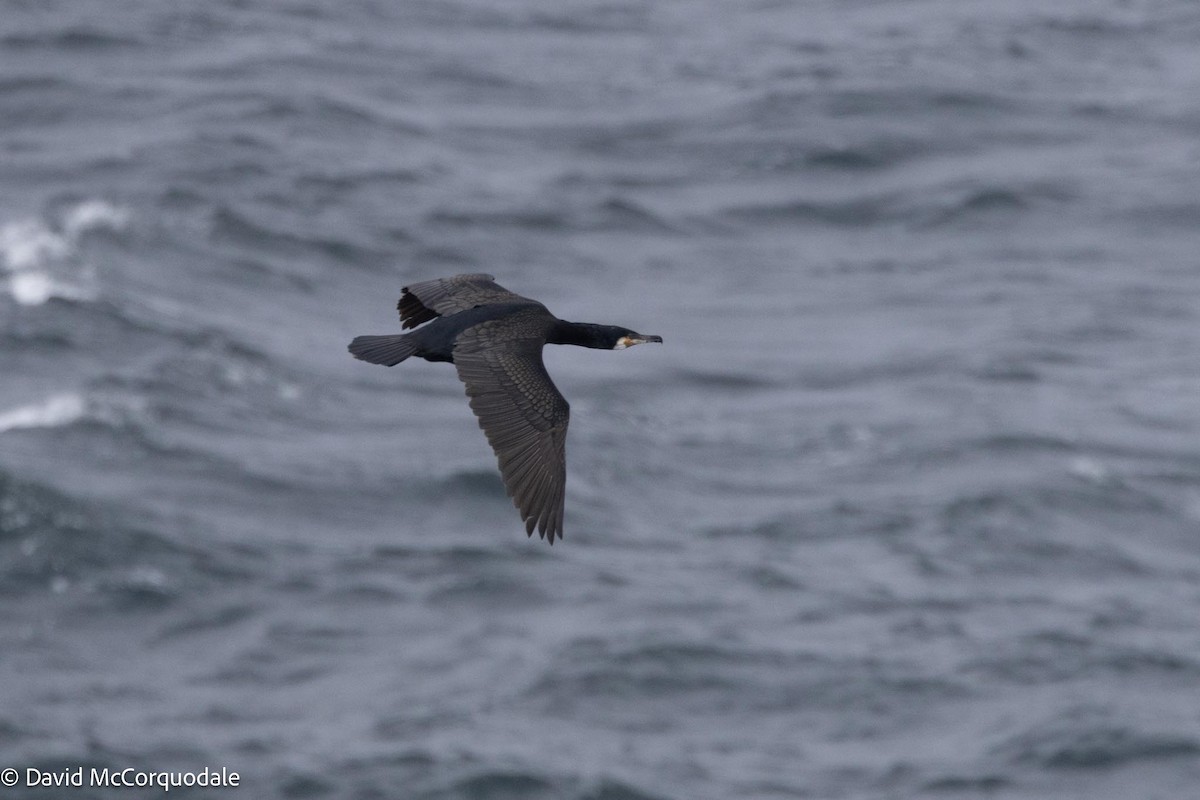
523 413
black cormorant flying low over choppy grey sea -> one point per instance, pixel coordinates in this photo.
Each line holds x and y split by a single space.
495 338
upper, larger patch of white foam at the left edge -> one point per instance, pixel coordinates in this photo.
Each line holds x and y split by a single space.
43 260
